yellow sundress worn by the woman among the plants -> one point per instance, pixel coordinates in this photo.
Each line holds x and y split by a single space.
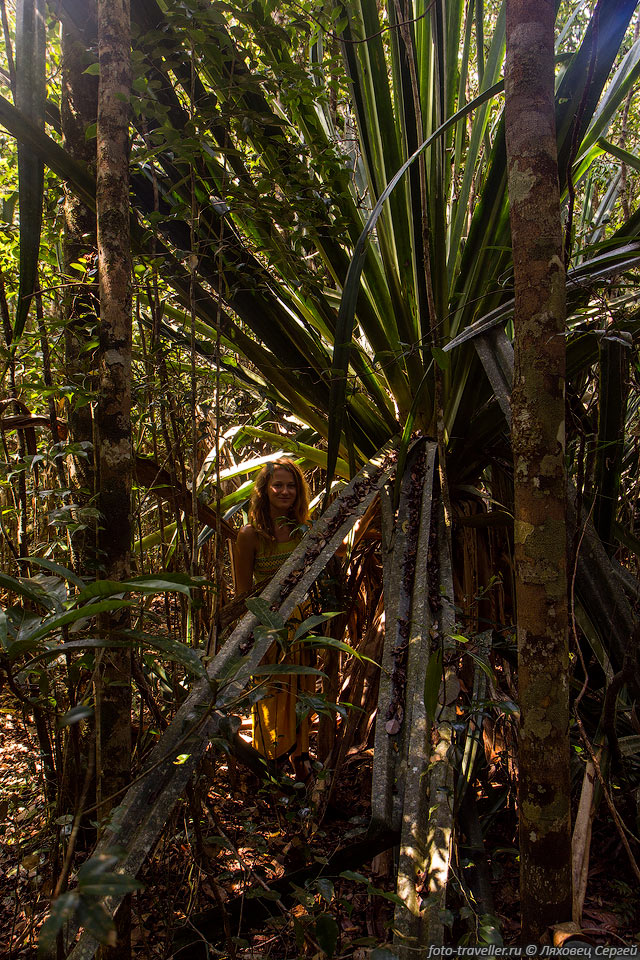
276 731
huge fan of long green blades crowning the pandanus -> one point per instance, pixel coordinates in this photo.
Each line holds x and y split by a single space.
281 209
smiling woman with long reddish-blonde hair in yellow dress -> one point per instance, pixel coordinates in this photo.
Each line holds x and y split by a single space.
278 519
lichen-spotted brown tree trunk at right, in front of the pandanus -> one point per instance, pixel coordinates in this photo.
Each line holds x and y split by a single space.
539 469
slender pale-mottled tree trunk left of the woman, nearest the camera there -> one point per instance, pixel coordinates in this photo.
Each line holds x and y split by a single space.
113 686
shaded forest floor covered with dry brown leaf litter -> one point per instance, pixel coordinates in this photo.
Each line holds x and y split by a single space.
246 837
